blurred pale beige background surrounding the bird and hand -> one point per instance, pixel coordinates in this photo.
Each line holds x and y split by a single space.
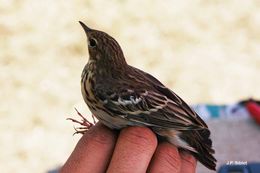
206 51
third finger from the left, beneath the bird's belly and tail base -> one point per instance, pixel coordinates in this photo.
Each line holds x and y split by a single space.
165 159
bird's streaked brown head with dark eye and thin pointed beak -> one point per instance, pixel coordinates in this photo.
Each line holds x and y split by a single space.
103 49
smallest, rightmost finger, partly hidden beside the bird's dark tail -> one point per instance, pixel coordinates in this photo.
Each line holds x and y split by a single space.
188 163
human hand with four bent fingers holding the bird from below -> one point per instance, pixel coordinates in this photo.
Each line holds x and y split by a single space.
134 149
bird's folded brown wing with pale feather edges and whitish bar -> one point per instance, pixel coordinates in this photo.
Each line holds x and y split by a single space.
147 107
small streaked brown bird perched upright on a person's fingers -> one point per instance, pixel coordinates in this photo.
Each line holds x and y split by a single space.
120 95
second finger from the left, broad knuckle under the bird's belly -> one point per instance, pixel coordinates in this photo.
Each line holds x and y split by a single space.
134 150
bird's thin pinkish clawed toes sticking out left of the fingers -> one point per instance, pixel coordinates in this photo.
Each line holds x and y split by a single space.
85 124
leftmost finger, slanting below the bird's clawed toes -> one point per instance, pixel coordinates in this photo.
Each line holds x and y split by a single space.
93 151
